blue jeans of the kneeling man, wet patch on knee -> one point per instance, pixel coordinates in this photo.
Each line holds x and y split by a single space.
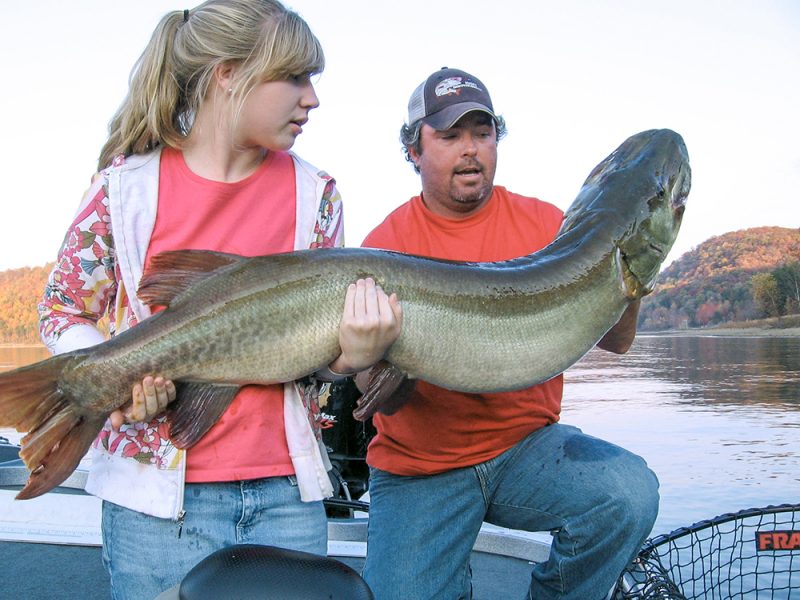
599 500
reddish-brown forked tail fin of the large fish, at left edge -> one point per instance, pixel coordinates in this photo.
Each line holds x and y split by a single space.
58 434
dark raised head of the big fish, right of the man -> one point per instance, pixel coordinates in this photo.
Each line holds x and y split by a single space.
638 193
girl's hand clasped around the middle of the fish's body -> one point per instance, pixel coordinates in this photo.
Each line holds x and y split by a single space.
370 323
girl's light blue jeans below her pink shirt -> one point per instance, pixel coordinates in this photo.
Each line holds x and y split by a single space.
146 555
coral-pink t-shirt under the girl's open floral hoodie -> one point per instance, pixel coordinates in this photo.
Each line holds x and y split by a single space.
250 217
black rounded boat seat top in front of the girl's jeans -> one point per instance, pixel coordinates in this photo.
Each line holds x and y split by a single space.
253 572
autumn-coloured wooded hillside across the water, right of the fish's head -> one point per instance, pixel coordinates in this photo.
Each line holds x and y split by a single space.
713 283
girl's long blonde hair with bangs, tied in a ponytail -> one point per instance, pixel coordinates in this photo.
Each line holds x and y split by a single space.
263 39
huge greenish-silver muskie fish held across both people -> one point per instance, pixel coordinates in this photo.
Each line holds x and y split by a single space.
473 327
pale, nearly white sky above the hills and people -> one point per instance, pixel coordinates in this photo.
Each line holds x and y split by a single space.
573 79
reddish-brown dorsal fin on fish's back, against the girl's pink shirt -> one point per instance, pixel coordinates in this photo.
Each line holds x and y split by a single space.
171 273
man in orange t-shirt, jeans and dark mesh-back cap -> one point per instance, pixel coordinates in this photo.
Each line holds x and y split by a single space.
446 461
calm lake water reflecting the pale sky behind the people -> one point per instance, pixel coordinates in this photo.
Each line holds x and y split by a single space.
717 418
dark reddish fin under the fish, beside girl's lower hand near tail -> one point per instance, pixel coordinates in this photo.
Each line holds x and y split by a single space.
195 410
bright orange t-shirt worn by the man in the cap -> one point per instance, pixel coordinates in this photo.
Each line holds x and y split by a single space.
440 429
